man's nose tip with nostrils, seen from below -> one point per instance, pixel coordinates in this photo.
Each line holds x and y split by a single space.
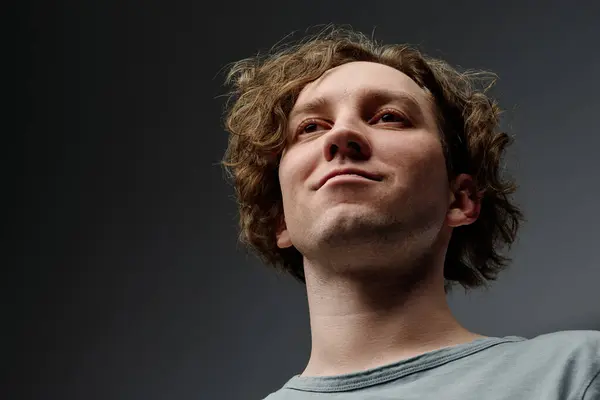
346 142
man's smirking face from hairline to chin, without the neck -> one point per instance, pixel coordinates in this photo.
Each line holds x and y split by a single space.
372 127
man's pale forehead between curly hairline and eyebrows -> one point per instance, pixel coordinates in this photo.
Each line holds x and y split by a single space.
360 78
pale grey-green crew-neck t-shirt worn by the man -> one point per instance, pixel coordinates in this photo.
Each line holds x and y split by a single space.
562 365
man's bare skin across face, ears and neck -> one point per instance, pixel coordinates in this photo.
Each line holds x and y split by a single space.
373 247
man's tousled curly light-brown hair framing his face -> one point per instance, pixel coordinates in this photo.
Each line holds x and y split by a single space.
264 90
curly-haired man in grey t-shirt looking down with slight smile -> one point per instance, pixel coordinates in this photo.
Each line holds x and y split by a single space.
372 174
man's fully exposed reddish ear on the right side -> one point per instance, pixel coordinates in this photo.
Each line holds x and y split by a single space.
465 202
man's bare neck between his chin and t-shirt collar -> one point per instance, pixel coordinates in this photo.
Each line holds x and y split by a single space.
357 324
